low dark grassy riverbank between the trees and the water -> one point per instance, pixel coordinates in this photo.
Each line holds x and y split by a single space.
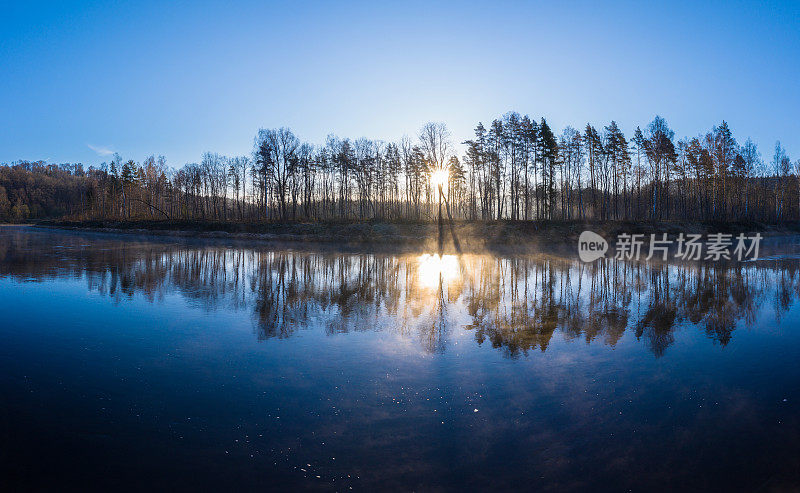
472 236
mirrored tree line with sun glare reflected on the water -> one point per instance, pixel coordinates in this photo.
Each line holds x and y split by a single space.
513 303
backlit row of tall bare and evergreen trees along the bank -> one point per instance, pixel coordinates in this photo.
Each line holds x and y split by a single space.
516 169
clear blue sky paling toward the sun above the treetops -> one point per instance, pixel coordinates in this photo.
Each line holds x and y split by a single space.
81 80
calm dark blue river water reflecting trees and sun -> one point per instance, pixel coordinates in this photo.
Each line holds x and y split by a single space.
128 362
